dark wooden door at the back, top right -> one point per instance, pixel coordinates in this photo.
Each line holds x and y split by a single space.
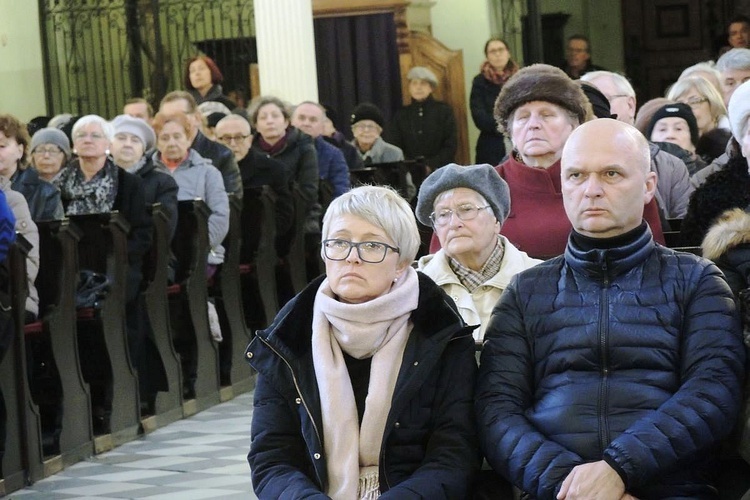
663 37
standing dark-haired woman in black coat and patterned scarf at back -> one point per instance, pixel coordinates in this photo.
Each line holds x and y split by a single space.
495 71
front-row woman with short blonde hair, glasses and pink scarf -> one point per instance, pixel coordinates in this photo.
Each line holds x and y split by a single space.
365 379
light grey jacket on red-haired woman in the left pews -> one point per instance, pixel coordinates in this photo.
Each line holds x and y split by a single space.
196 177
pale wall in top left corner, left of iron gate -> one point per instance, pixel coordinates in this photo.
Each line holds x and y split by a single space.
21 76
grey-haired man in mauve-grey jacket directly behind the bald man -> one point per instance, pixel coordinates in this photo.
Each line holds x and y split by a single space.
674 188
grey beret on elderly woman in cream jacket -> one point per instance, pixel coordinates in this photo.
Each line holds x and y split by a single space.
483 179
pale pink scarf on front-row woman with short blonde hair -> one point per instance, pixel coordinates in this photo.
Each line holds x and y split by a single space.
379 329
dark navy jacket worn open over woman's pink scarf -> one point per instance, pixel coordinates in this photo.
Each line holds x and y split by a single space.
429 448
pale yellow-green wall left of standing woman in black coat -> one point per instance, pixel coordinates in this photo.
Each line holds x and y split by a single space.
465 24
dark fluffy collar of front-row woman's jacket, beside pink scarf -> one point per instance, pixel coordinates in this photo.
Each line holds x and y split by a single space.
429 317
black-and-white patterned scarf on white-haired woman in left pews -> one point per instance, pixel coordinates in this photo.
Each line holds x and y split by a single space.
88 197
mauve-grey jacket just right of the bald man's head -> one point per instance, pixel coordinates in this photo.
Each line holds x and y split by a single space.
673 186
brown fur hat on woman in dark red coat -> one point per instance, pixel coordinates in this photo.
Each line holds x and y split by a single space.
540 82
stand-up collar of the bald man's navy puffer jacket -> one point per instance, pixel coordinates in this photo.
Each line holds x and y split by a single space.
608 264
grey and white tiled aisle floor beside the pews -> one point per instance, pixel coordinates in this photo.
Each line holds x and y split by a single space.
203 456
